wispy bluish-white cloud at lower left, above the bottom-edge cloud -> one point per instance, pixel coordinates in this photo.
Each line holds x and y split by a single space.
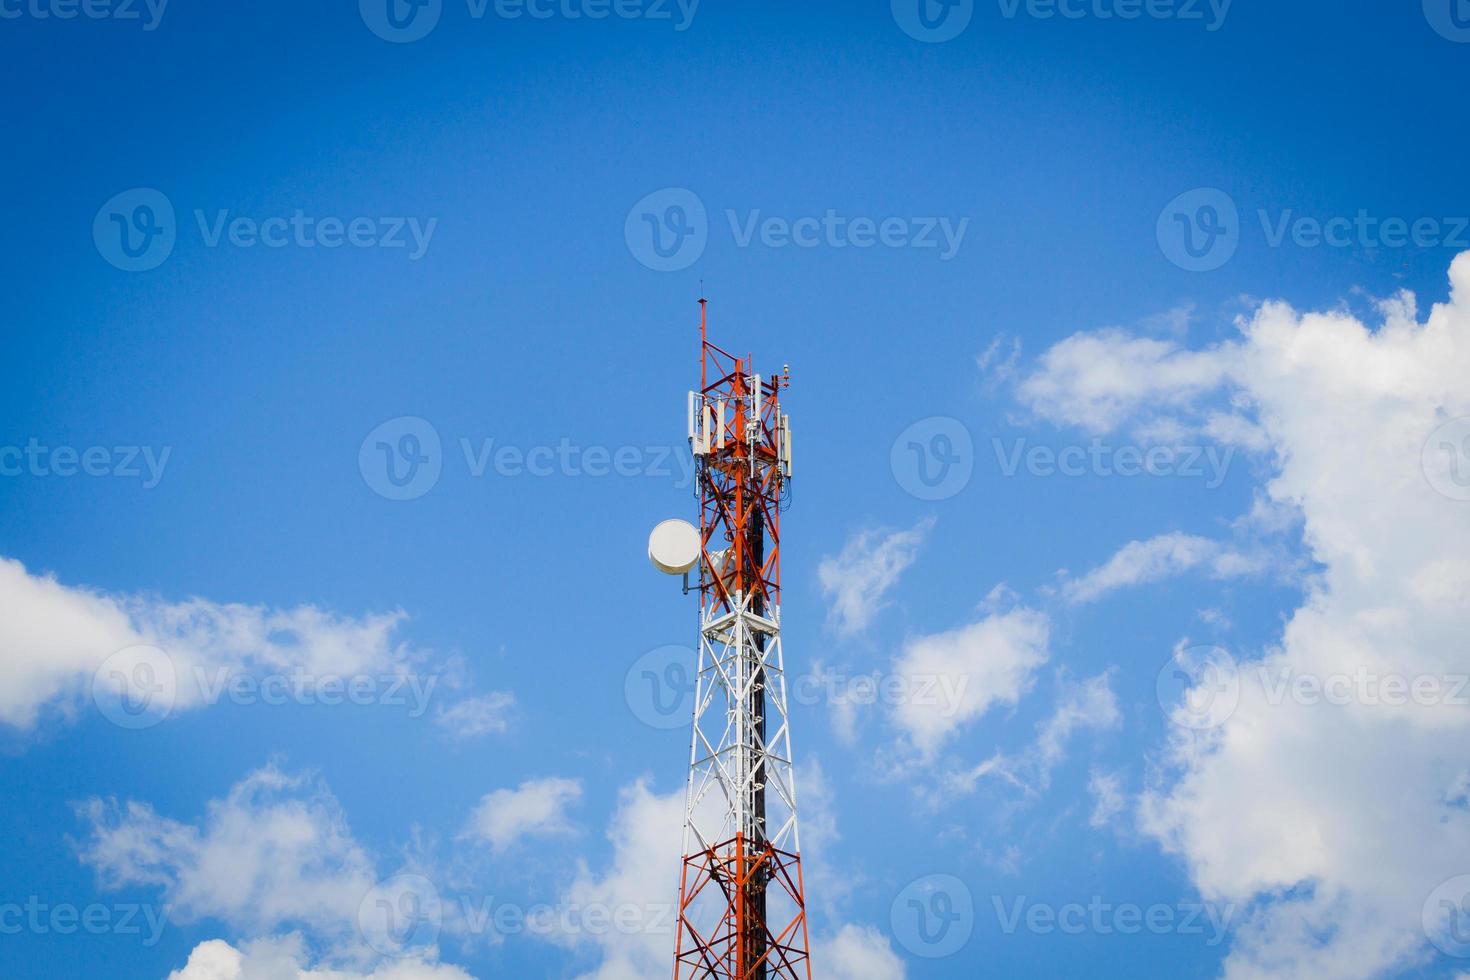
276 851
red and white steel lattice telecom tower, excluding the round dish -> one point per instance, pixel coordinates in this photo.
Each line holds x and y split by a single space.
742 901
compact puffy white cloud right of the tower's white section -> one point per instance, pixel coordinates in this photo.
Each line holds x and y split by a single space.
983 665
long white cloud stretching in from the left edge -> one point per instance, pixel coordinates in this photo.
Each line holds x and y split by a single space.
55 638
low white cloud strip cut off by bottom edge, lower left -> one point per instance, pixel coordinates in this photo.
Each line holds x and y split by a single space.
286 959
